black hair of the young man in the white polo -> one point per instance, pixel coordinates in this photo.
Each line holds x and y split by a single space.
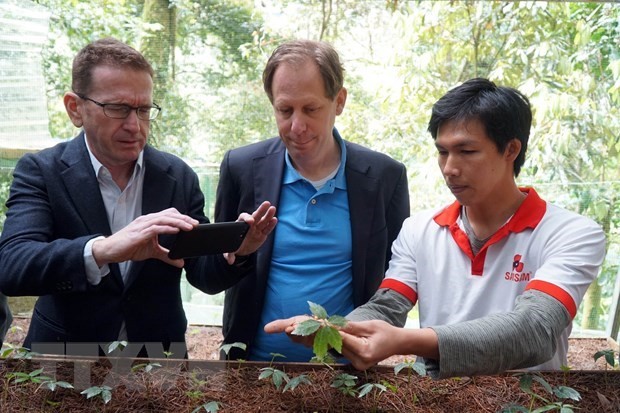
504 112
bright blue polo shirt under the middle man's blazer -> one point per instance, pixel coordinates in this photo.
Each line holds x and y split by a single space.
311 258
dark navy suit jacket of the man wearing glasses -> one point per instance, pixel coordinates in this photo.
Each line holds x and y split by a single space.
54 208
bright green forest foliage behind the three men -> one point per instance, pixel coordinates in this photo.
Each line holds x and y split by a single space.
400 57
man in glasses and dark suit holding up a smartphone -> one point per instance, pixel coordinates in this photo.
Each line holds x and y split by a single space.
90 221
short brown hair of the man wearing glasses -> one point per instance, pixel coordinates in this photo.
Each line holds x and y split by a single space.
105 52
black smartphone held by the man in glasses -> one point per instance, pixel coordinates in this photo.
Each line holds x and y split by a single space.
205 239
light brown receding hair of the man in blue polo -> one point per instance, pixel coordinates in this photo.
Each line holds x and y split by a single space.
321 53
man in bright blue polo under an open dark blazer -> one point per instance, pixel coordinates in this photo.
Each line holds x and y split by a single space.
340 206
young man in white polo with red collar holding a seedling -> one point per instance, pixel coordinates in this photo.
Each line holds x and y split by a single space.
499 274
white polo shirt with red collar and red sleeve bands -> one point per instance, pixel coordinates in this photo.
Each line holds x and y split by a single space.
542 247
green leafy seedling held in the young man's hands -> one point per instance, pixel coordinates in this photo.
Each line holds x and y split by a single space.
326 332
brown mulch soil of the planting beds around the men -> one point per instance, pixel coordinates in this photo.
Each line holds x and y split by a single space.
182 386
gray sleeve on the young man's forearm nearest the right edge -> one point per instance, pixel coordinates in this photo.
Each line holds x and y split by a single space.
524 337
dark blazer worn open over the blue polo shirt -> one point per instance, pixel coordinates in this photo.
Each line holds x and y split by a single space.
378 201
